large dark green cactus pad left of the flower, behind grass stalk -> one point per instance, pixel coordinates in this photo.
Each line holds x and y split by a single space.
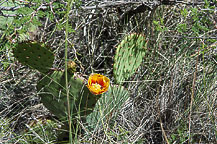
52 91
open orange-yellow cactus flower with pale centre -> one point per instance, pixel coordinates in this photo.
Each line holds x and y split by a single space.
98 84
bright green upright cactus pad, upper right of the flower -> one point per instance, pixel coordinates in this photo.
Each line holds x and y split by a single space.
128 57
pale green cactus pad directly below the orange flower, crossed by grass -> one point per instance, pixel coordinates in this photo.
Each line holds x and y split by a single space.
107 107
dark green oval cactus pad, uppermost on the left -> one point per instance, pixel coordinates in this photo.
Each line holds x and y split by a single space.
34 55
